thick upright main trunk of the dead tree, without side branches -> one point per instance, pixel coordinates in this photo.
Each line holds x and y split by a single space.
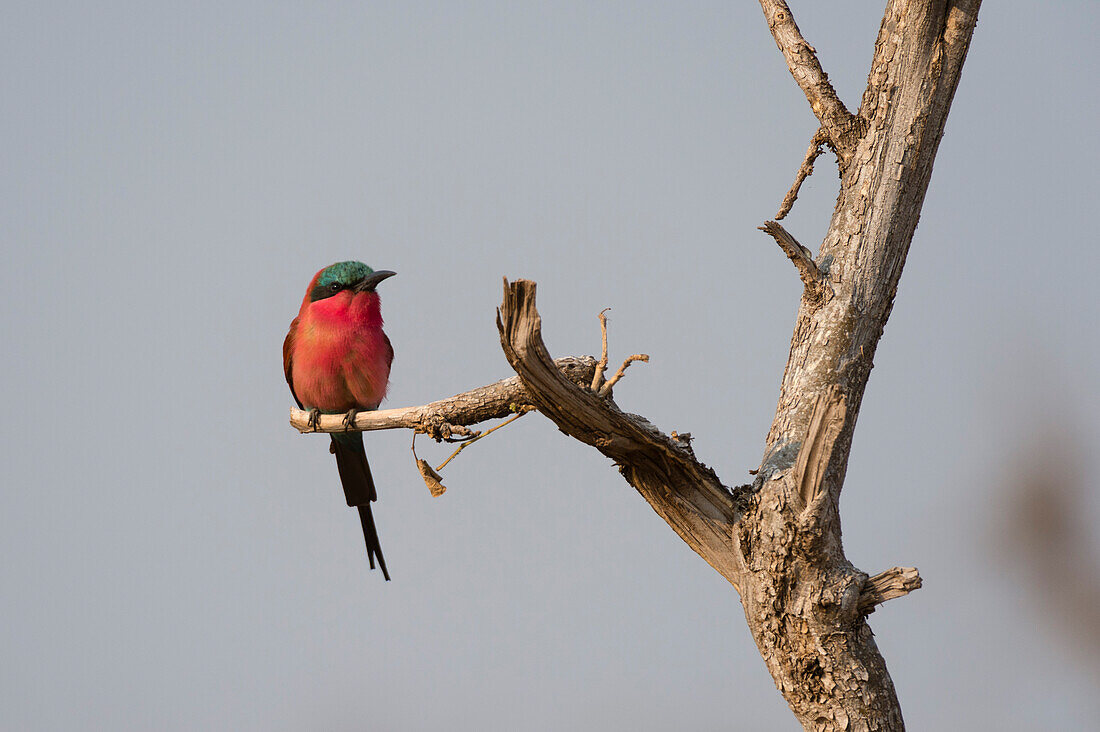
799 593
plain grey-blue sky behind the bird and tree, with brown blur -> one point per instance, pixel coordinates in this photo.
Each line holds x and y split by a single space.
175 556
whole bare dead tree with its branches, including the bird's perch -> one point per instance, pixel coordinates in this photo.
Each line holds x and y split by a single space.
778 541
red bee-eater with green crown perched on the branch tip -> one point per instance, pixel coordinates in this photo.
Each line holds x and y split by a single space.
337 362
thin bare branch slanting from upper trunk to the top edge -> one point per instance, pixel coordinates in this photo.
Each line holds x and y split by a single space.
842 126
